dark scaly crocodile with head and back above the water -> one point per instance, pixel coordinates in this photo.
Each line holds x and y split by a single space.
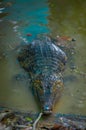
44 62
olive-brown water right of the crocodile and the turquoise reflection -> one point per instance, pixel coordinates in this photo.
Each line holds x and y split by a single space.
67 18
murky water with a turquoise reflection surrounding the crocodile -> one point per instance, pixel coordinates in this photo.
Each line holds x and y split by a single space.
17 18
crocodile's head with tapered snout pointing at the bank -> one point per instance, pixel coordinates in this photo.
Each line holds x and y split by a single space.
48 89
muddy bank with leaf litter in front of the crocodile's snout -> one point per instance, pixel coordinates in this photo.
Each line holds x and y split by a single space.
11 119
